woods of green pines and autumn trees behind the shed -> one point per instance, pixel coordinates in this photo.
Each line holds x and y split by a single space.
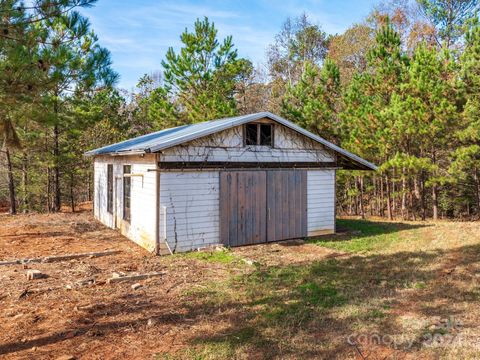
401 89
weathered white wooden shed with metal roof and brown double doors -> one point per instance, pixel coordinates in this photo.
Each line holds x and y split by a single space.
235 181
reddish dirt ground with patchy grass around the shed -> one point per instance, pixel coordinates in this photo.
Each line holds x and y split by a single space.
325 299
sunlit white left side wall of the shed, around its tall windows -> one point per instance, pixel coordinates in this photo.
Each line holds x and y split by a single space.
141 227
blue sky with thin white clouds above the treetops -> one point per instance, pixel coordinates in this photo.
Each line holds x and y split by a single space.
138 33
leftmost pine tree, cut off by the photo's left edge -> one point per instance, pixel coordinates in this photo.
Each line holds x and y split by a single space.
23 68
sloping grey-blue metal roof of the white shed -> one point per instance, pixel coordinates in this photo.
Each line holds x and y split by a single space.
167 138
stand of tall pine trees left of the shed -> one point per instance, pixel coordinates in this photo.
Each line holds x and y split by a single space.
53 77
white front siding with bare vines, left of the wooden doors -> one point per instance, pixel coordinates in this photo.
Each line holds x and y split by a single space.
192 204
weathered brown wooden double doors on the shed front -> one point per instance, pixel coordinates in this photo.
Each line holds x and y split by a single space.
262 205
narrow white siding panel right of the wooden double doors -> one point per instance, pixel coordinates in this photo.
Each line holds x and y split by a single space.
320 201
